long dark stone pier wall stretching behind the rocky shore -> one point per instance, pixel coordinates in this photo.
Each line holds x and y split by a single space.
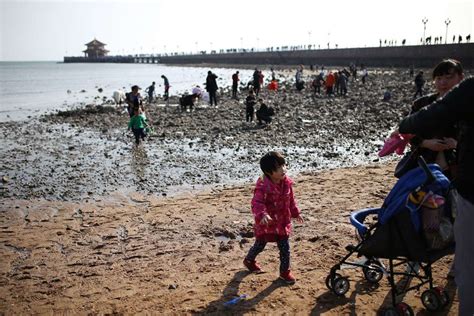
397 56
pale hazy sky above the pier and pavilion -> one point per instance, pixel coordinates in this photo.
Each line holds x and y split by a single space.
37 30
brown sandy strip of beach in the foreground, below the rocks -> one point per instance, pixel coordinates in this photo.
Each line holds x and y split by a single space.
183 255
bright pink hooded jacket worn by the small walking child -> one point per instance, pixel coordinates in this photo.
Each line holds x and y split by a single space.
276 200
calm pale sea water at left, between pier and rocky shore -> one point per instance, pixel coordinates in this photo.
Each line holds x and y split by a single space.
33 88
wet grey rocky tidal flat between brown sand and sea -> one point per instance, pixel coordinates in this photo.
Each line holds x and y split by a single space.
88 151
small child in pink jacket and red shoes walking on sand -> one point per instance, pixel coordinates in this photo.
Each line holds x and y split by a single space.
273 206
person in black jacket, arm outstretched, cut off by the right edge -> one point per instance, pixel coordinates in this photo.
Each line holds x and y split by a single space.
456 107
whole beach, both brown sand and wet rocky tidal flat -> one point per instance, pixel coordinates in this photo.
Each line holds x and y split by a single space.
91 225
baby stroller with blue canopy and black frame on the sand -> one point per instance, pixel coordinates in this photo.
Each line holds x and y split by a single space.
400 235
